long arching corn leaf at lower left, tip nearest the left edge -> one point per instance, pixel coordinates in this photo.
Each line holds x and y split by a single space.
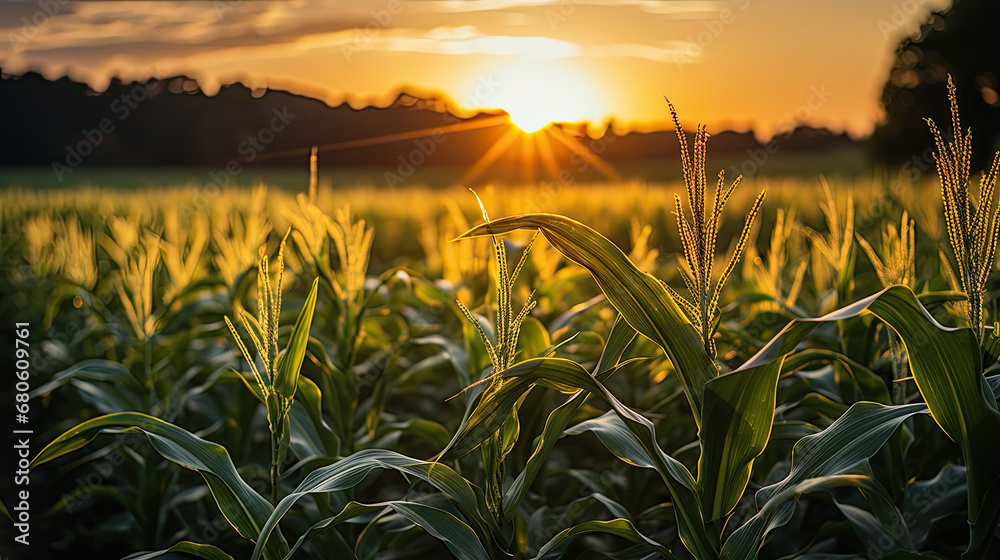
245 509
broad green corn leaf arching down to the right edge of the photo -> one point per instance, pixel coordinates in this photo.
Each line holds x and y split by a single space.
945 362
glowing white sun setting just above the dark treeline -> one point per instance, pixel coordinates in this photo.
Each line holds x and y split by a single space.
536 94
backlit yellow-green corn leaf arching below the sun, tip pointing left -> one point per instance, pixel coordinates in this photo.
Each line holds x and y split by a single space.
641 299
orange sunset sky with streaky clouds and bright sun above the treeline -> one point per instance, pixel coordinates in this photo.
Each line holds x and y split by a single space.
760 64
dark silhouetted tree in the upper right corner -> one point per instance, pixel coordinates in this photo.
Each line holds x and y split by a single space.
961 41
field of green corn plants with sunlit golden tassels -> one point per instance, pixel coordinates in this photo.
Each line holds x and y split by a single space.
726 373
